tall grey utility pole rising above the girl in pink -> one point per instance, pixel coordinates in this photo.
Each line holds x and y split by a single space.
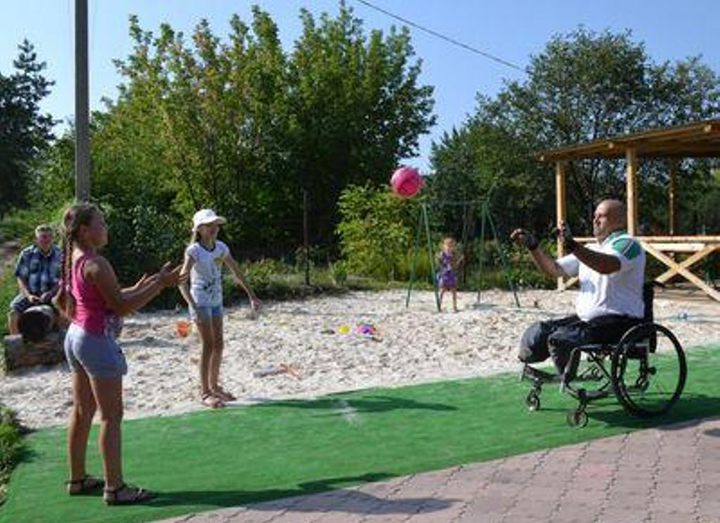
82 110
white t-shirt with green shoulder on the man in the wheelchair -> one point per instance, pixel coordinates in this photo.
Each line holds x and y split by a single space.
616 293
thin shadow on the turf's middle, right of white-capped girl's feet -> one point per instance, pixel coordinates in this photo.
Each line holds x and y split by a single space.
364 404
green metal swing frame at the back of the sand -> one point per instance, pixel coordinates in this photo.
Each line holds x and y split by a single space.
470 207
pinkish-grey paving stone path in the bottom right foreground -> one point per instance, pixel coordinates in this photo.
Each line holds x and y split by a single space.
669 474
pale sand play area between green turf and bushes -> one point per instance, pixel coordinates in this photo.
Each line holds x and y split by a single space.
409 346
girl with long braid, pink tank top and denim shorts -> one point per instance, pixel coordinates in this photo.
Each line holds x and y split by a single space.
92 300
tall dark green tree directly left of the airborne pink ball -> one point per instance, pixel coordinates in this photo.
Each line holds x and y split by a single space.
356 104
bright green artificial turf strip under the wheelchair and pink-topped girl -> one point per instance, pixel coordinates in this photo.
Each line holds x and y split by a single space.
214 459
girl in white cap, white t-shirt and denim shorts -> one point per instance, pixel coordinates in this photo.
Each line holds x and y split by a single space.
204 258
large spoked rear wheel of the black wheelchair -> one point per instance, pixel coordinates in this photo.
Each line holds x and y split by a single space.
648 370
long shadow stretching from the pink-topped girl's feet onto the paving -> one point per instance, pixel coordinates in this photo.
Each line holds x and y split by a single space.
336 499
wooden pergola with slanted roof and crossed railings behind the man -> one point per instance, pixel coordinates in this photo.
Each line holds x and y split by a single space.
697 140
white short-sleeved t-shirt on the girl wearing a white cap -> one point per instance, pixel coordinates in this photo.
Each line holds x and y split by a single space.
206 273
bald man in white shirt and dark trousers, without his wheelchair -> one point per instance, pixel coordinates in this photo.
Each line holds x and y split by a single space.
611 274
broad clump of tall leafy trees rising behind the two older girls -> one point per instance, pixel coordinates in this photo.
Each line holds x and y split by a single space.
243 126
